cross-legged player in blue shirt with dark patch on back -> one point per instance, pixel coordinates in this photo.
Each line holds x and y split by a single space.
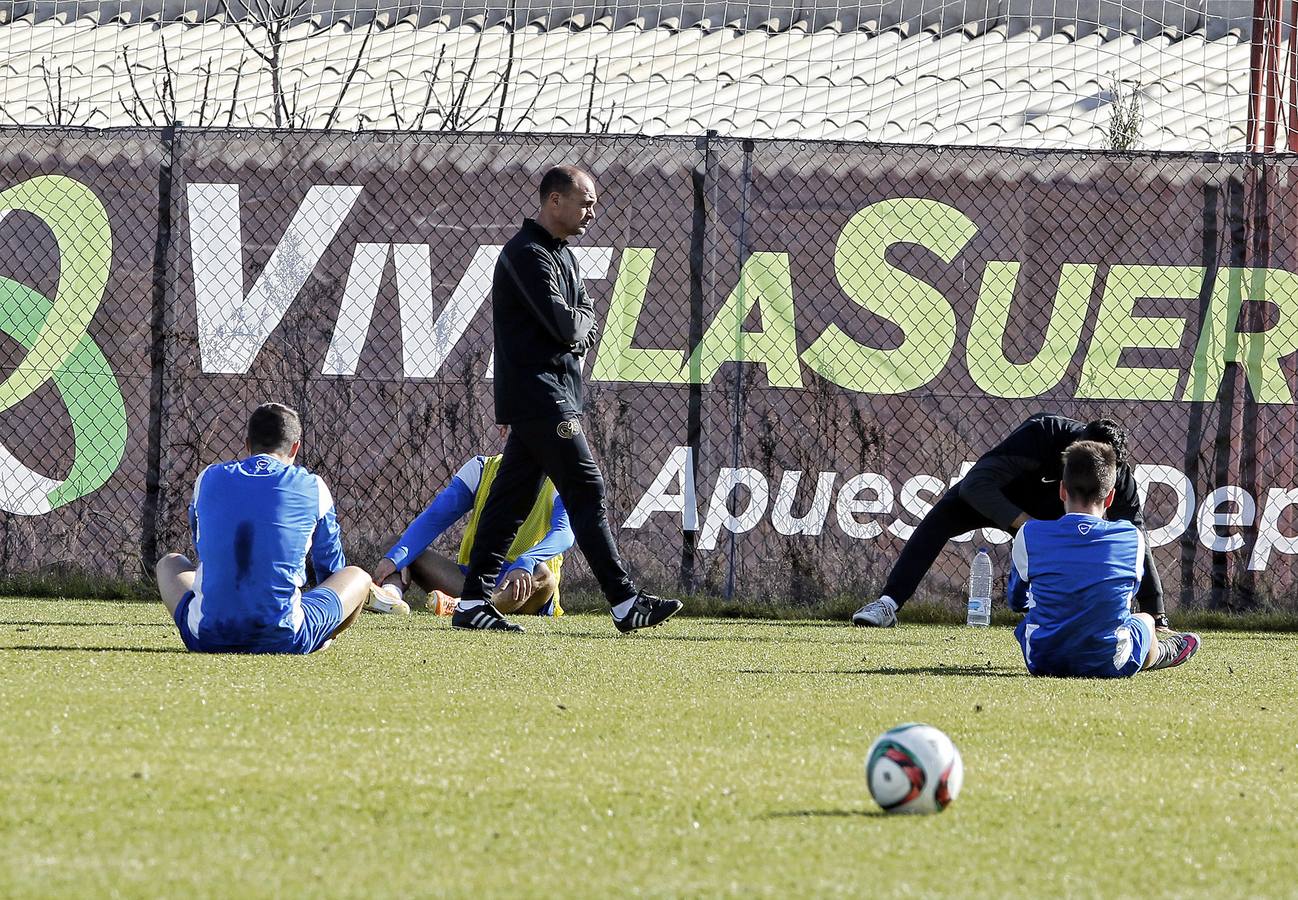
254 523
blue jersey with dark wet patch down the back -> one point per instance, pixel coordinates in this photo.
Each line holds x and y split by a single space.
254 523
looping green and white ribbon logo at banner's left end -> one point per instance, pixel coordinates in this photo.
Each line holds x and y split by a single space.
59 347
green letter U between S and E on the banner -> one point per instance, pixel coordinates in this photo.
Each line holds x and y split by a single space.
985 350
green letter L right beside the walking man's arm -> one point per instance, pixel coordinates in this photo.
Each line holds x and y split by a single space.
618 360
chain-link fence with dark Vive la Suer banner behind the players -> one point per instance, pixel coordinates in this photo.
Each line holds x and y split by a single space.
803 345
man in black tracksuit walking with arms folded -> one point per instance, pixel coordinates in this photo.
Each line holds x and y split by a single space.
545 325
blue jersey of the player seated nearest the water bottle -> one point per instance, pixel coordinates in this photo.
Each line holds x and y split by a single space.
1082 575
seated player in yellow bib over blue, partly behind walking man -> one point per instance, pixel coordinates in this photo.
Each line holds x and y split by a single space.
530 580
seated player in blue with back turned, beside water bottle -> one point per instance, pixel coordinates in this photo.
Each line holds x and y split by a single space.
1078 576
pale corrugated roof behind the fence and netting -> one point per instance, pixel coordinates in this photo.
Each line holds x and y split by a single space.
939 85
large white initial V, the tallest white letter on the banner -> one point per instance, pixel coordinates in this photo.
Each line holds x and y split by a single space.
234 327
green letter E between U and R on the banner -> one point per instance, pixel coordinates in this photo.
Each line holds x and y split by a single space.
1118 329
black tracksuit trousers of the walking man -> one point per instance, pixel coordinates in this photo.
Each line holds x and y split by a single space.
537 449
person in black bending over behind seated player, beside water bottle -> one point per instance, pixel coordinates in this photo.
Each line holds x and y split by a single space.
1012 484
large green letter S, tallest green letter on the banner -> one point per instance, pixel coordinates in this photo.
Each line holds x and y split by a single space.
918 308
